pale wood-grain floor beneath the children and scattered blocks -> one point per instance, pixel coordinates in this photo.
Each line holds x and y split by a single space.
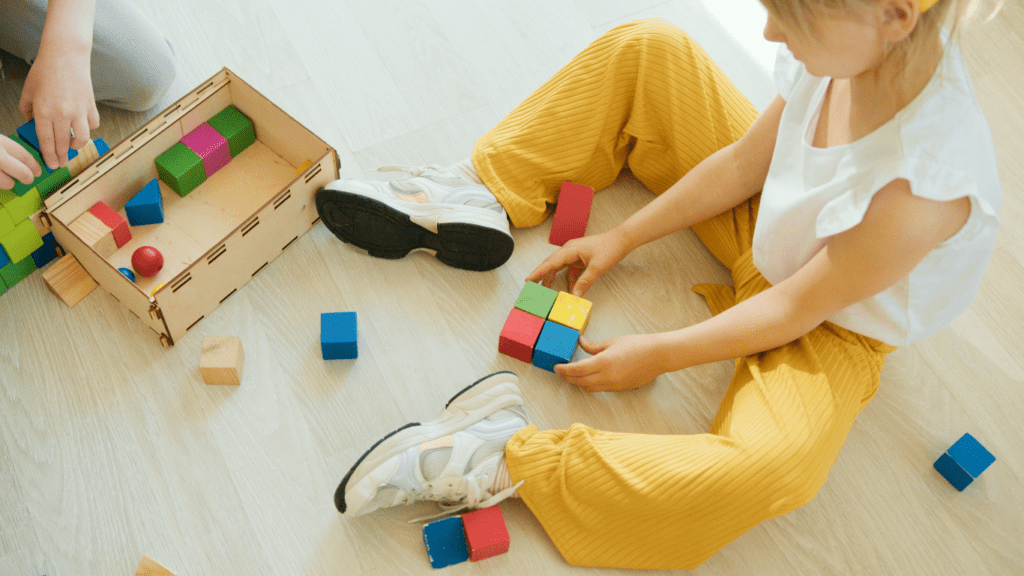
112 447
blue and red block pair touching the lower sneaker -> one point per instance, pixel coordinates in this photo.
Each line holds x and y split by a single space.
477 536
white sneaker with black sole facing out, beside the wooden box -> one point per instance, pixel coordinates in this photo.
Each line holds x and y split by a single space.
436 210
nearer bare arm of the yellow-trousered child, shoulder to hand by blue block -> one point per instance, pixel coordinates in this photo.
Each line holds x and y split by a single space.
897 234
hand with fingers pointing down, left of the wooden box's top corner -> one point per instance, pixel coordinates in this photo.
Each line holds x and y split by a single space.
59 95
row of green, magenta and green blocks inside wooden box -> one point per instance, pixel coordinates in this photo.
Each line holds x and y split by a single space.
205 150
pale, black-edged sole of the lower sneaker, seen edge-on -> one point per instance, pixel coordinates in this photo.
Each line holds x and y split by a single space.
481 396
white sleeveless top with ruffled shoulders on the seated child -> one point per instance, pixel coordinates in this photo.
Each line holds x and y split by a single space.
941 143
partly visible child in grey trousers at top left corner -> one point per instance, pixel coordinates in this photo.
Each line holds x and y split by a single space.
81 52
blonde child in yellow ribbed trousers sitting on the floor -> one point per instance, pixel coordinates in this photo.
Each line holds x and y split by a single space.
877 219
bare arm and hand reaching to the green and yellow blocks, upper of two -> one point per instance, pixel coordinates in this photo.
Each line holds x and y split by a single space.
722 181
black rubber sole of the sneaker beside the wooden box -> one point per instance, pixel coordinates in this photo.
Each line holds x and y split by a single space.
387 233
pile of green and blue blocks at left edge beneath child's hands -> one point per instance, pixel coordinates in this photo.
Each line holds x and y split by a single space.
26 242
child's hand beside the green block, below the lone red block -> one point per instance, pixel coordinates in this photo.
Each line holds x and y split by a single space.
587 259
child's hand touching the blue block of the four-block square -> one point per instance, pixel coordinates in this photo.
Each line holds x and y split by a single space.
618 365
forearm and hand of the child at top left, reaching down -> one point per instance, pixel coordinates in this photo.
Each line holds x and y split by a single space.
59 90
